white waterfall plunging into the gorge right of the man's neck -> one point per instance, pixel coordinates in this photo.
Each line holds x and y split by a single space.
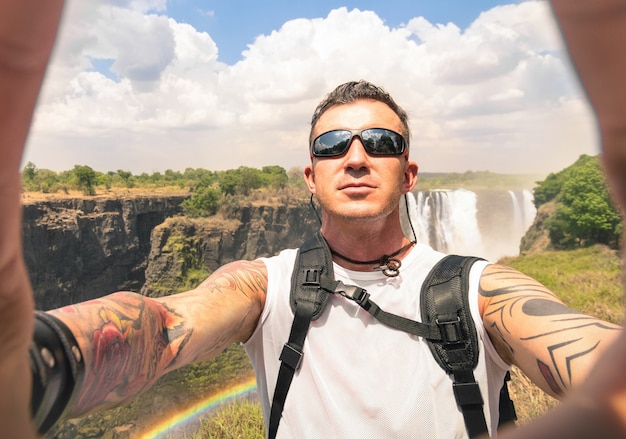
489 224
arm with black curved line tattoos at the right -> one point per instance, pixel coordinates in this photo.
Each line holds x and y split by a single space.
555 346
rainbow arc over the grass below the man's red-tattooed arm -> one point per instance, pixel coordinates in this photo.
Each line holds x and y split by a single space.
191 413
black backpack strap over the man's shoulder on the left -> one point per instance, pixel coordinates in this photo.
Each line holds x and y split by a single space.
311 283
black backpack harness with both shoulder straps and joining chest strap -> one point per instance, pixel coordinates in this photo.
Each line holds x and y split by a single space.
447 326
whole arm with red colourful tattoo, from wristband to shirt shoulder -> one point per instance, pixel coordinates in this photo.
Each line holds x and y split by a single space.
129 341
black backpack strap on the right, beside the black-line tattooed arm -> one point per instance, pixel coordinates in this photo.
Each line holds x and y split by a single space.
445 302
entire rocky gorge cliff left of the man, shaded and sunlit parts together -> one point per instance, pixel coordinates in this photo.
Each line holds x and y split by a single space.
78 249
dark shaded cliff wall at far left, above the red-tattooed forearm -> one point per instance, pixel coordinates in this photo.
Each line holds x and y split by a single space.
81 248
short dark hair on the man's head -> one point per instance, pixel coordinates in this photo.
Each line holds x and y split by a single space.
356 90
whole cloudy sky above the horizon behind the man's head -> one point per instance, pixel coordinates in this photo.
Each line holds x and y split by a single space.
151 85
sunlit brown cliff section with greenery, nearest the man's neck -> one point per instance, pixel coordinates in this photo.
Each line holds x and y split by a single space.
183 244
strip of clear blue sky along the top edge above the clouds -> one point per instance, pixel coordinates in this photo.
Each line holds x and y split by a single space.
233 24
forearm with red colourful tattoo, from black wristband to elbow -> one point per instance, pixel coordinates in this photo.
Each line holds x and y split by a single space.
127 342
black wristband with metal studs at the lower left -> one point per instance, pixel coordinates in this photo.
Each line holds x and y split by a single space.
58 368
